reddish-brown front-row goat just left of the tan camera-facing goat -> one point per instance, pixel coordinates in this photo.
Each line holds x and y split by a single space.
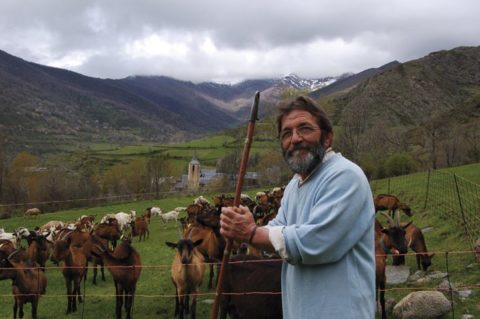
125 266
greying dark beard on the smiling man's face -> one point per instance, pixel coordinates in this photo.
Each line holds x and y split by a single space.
306 165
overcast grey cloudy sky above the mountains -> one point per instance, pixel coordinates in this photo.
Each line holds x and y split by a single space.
232 40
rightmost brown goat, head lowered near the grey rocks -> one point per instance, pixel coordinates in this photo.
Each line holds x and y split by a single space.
416 242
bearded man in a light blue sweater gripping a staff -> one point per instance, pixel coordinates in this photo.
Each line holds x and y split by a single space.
324 229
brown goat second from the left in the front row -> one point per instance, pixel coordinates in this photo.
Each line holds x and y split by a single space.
73 270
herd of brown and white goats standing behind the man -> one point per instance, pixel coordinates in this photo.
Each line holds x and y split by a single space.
109 243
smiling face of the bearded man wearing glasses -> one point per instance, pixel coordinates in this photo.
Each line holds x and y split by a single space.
300 139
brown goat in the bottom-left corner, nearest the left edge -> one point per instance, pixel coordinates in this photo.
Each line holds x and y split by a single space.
28 282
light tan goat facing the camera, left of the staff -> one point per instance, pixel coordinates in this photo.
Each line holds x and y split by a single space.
188 267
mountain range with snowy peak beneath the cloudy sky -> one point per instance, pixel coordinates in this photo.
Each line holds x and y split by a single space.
45 109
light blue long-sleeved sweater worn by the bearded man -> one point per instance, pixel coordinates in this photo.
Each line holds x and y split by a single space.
329 239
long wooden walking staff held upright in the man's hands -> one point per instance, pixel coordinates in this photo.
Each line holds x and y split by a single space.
236 201
